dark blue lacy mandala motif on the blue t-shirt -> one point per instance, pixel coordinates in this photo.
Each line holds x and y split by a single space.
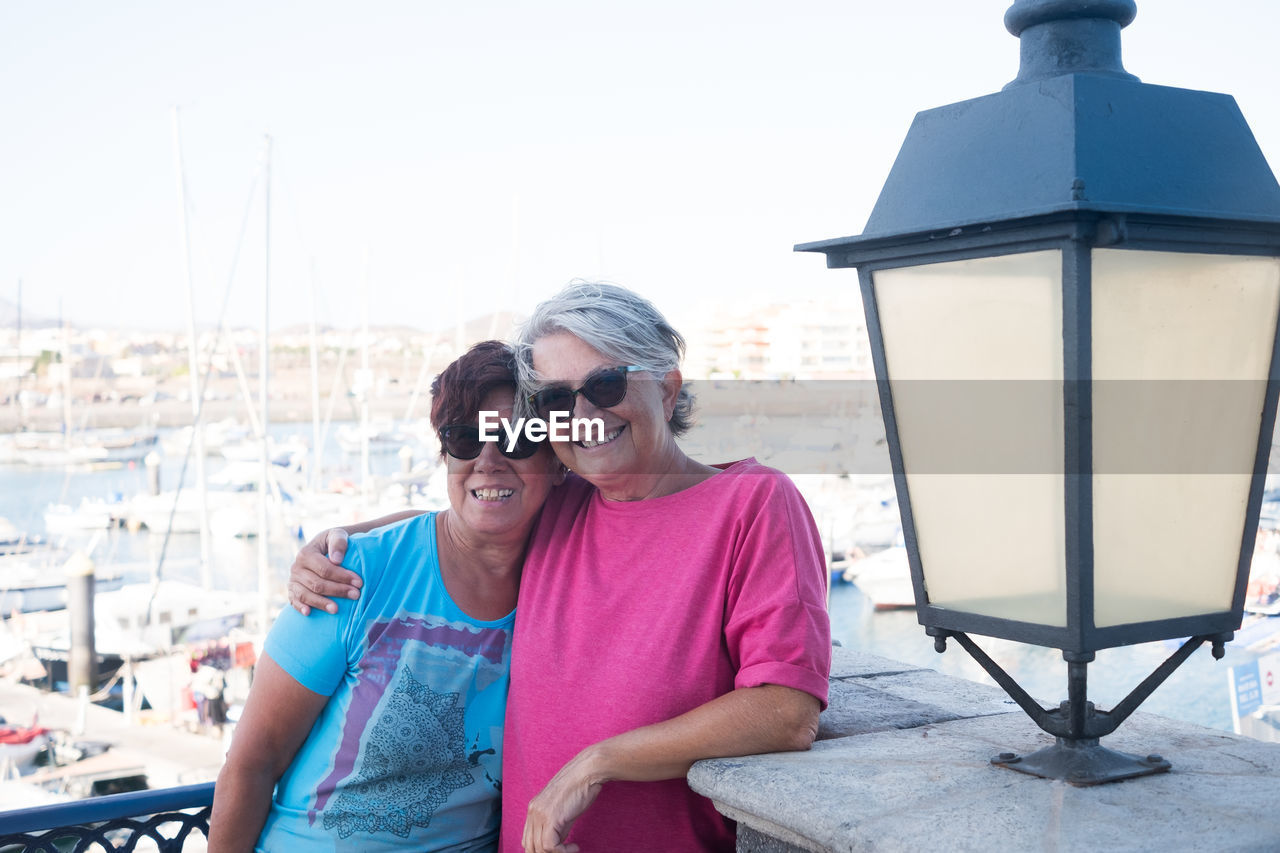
414 759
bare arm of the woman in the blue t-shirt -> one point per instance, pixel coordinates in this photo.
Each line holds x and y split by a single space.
277 720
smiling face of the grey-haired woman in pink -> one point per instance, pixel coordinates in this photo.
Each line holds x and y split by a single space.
638 449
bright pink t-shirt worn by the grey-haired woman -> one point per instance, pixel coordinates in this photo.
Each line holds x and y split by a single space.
636 613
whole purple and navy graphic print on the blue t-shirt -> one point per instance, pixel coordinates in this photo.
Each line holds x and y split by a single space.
404 749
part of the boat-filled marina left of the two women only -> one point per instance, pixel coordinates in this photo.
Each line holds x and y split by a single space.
161 633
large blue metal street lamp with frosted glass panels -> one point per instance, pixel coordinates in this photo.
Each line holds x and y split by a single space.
1072 290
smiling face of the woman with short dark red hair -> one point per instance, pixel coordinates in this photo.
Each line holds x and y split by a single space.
497 496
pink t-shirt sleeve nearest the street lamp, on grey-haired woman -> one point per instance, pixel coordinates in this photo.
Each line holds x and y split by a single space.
776 622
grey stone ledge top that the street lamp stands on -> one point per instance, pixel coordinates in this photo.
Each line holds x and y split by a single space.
913 781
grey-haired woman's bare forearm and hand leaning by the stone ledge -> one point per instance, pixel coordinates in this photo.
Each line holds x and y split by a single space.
742 723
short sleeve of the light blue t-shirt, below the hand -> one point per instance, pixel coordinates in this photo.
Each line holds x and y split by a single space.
314 649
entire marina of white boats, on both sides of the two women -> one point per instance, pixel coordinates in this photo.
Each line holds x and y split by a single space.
161 633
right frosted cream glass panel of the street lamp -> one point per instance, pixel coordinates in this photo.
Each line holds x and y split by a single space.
1182 349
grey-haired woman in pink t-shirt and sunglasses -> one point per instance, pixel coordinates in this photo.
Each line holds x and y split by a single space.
669 610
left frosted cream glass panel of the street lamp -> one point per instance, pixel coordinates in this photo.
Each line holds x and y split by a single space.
975 358
